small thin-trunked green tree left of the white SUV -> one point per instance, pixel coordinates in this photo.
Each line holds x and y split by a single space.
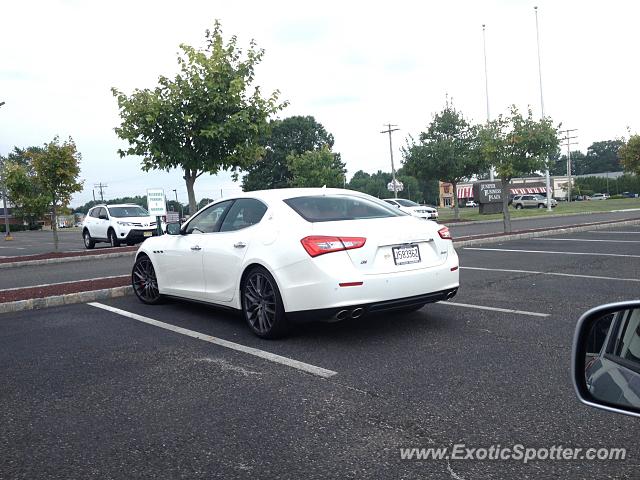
57 170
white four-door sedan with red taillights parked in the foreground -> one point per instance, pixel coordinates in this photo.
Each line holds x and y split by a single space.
299 254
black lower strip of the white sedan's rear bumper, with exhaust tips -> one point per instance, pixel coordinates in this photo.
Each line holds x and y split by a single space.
356 311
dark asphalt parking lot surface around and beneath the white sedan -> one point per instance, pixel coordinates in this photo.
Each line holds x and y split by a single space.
91 393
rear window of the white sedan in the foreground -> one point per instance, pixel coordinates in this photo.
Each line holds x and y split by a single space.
325 208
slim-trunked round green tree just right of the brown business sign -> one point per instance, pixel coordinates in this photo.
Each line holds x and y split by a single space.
517 146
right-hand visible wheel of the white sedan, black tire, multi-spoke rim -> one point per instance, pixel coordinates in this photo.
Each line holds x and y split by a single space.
262 306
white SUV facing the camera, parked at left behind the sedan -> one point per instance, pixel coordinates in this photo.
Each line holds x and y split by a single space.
116 224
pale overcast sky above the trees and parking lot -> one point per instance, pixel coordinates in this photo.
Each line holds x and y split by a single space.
352 65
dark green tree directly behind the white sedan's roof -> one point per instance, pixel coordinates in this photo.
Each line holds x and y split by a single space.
293 135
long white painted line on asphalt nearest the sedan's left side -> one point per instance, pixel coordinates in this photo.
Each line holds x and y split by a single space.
272 357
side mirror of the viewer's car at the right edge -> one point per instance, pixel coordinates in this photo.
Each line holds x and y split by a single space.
606 358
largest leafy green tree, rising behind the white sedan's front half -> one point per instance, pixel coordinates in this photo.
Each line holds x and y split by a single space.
209 117
